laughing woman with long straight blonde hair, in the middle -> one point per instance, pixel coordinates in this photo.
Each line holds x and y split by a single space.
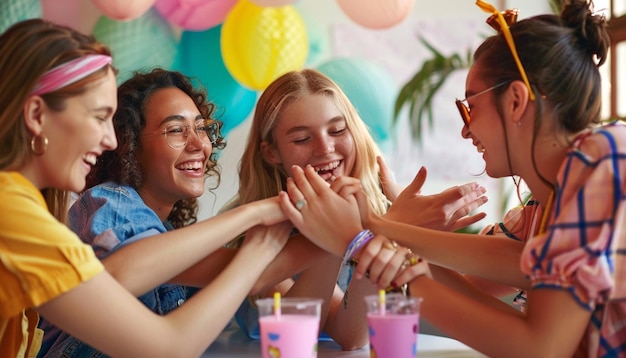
303 118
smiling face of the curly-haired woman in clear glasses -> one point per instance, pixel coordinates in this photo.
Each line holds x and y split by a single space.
171 174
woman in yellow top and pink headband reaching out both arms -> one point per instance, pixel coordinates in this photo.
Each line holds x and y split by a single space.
56 121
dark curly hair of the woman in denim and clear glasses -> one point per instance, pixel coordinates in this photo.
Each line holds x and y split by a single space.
121 165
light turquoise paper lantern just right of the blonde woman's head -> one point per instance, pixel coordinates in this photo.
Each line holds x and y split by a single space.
369 87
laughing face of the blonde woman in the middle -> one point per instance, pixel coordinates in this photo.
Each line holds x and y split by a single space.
312 130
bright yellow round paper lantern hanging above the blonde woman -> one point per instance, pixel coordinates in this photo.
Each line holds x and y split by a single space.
261 43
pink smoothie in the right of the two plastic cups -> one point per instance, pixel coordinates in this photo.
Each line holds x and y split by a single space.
393 335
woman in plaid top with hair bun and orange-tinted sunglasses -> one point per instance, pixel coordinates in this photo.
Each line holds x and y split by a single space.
533 112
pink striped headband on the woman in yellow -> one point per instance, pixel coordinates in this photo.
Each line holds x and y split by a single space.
70 72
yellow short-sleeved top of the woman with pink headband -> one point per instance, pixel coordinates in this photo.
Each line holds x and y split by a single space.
40 259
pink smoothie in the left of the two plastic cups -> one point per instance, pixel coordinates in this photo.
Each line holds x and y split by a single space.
290 336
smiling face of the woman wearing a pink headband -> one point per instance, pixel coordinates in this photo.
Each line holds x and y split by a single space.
77 135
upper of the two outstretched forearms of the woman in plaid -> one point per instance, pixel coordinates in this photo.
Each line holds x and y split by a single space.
493 258
